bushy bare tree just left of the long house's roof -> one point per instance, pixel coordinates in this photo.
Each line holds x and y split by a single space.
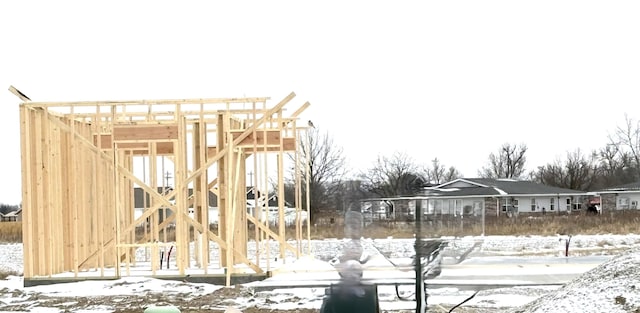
393 176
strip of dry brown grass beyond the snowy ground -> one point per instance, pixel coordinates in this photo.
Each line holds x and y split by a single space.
577 223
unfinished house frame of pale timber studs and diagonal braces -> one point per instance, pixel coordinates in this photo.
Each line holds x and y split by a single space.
79 171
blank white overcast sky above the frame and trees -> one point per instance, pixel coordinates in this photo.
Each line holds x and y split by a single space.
447 79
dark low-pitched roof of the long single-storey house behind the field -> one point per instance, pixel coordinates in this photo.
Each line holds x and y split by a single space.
491 187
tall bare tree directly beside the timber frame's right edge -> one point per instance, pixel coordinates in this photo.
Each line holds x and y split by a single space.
326 163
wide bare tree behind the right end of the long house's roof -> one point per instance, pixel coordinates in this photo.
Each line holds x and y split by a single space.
579 172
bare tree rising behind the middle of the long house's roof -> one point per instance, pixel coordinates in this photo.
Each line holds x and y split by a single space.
508 163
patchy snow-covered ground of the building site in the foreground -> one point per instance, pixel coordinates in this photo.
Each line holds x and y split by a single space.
601 271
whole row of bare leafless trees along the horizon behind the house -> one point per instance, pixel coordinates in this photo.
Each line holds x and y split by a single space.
398 174
